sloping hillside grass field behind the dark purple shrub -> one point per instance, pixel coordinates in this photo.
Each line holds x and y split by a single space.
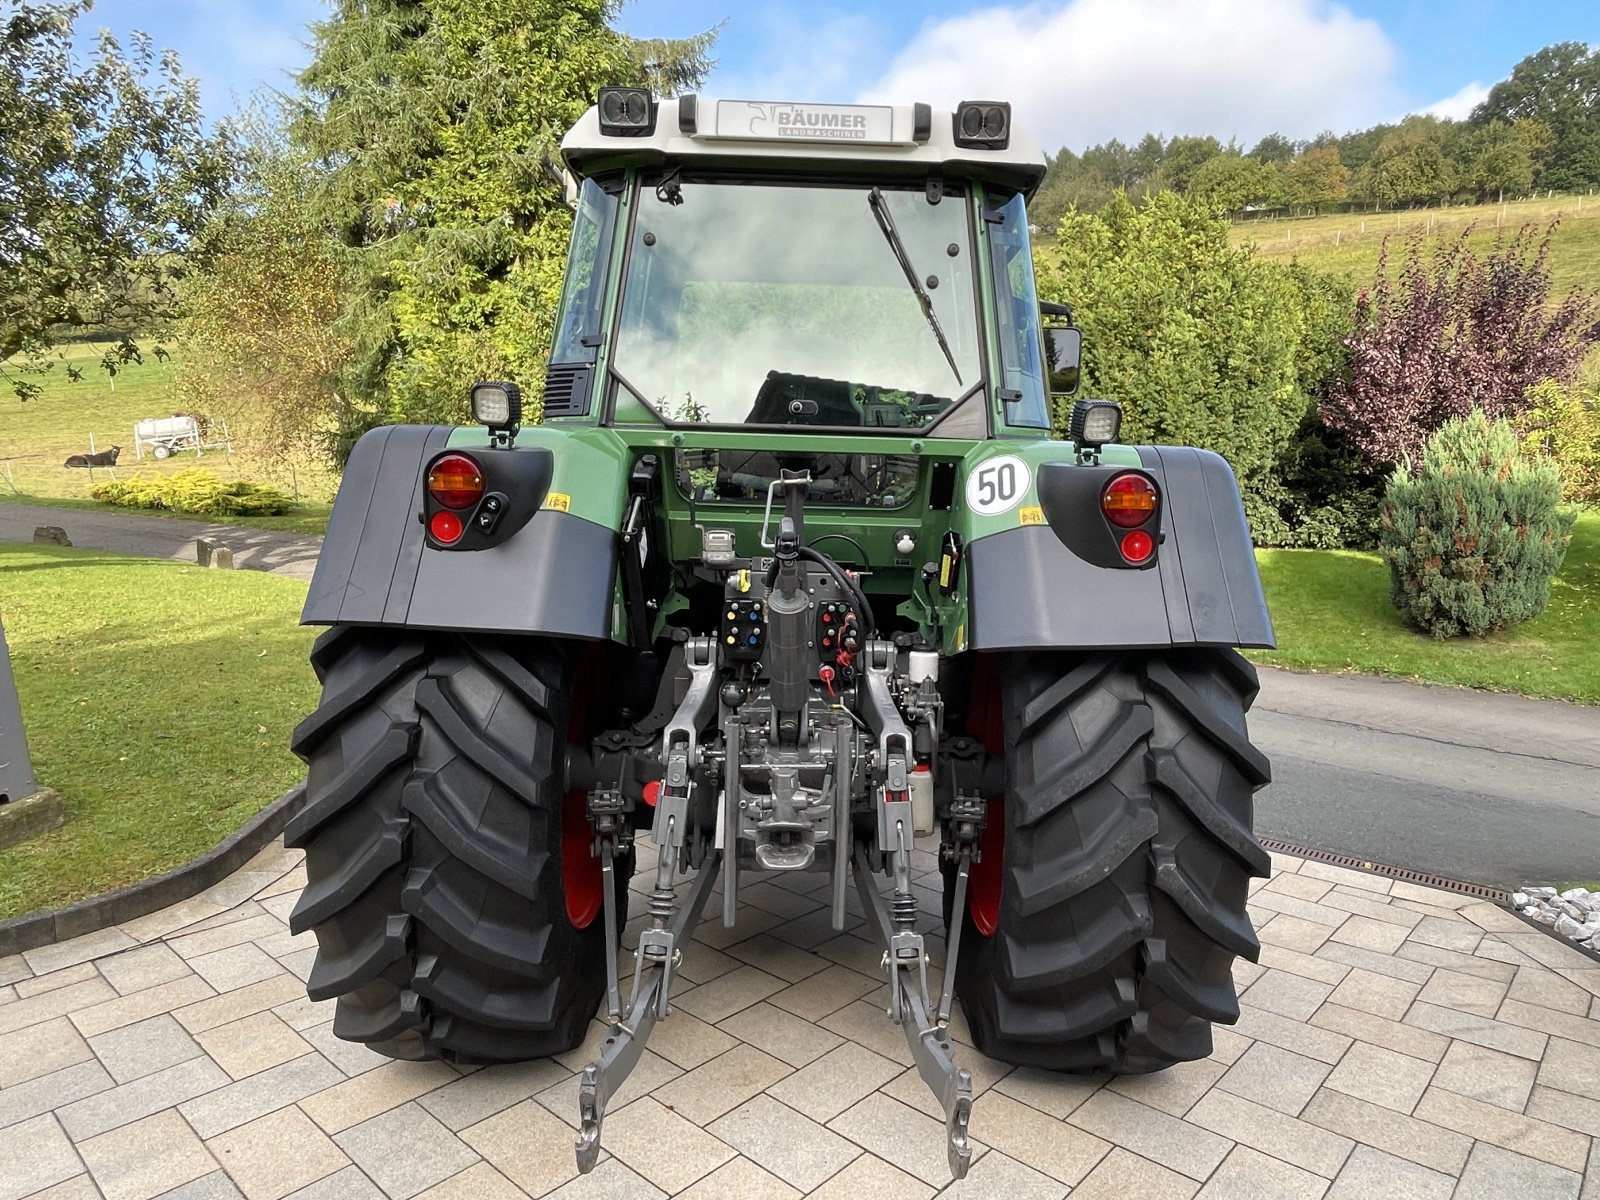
1350 242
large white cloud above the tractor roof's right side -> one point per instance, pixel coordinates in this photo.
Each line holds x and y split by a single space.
1086 71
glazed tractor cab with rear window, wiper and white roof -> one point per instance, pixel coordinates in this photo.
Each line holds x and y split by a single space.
801 268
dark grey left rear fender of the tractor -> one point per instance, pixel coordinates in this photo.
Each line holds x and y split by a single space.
546 572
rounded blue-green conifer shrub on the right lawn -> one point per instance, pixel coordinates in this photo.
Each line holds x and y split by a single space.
1474 538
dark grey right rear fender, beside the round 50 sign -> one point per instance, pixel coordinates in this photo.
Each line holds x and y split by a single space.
1031 590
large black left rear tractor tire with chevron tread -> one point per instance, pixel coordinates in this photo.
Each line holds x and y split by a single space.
434 847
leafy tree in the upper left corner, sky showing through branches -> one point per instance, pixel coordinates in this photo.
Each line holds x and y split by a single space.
106 174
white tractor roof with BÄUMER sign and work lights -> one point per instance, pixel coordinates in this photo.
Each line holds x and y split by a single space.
908 140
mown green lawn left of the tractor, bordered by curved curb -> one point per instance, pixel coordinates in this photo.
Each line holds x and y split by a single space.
158 700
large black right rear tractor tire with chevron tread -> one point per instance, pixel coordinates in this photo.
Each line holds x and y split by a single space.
1116 895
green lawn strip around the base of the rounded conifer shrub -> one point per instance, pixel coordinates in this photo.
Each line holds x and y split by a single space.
1332 614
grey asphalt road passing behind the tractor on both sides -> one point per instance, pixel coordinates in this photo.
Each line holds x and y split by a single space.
1484 788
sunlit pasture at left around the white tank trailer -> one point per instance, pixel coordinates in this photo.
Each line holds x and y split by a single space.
38 436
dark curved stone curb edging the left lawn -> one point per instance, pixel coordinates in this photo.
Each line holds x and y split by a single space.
140 900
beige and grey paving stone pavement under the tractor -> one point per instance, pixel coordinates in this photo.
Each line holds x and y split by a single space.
1394 1042
